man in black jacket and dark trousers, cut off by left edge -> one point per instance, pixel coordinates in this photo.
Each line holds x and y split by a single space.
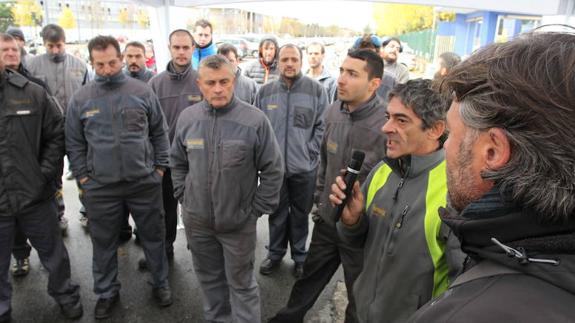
32 151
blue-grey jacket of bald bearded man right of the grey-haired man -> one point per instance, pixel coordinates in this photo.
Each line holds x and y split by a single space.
297 116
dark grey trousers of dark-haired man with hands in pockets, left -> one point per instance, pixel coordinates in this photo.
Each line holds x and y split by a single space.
105 205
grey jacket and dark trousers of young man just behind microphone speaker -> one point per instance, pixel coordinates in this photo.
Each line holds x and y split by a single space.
345 132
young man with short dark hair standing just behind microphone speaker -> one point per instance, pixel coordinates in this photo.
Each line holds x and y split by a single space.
352 123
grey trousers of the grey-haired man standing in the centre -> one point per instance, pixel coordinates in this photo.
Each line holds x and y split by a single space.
224 265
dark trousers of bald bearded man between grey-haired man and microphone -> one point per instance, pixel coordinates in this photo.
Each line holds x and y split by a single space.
290 222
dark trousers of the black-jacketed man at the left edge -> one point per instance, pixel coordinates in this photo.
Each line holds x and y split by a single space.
40 225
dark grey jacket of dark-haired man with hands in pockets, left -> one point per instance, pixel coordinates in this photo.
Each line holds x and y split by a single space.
115 131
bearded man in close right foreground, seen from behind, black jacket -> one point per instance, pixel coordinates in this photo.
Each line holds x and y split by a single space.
511 180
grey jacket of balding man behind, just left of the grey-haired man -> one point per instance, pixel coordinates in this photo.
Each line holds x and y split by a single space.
176 91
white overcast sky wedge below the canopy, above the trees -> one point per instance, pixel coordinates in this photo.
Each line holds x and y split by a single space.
350 14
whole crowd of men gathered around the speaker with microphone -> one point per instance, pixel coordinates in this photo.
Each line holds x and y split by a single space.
463 209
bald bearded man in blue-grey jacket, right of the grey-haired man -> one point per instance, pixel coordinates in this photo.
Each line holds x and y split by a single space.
295 105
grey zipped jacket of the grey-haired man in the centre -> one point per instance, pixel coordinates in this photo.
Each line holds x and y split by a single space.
217 158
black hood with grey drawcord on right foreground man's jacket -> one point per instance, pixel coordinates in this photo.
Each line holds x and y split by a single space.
497 229
